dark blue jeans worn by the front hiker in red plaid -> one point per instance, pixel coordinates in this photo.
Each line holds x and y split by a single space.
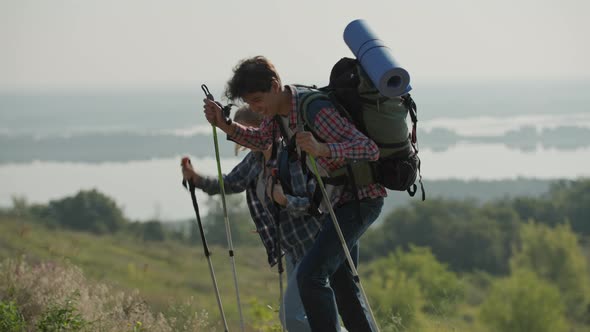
324 278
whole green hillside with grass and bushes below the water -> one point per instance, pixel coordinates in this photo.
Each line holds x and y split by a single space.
440 265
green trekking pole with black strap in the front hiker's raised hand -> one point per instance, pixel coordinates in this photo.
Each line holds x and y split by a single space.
227 227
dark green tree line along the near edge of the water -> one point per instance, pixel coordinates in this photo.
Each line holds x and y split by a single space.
465 234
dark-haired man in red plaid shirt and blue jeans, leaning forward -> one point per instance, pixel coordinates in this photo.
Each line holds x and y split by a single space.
256 82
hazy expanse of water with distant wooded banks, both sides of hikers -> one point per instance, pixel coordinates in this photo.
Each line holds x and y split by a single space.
128 145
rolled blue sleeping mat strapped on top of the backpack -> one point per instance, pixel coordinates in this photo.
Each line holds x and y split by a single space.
376 59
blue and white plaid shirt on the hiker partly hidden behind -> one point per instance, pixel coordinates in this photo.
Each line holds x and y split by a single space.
298 229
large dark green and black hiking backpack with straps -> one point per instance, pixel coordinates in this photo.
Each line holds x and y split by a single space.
382 119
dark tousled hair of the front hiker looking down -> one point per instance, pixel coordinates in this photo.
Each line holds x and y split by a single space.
251 75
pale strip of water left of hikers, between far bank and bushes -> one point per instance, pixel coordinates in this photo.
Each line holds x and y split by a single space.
144 189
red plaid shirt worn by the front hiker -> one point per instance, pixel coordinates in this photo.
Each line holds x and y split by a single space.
345 142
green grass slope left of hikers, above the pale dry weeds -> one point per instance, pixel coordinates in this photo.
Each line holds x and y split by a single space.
163 273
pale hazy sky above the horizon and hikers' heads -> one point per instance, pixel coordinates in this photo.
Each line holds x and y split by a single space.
63 44
